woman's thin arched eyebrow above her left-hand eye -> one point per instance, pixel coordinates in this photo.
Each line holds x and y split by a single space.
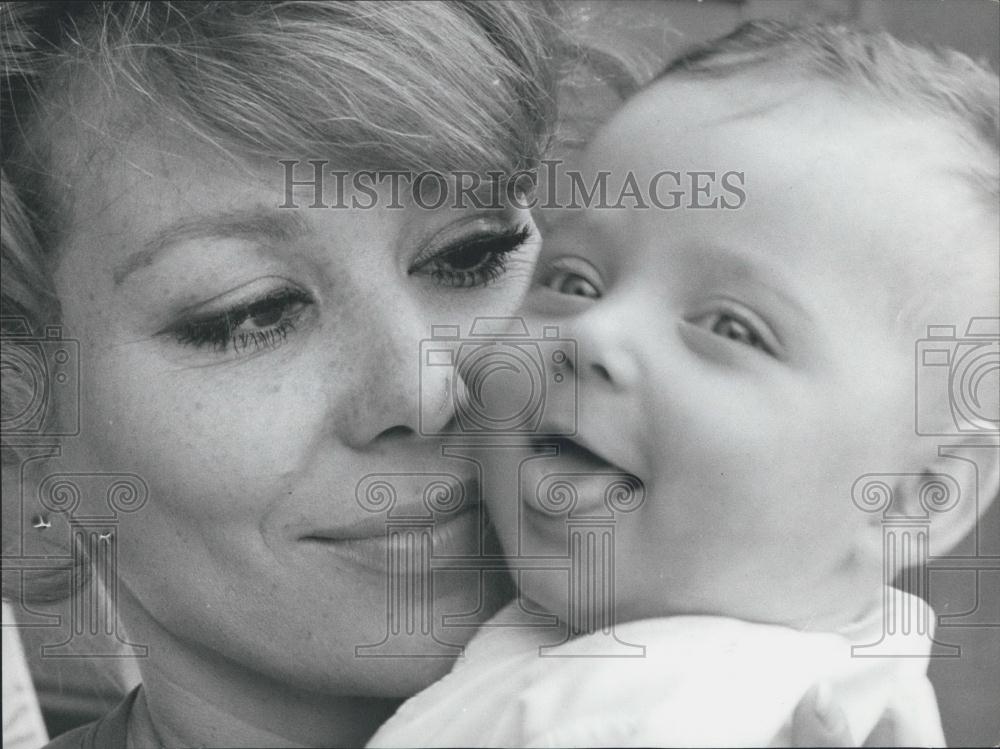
255 224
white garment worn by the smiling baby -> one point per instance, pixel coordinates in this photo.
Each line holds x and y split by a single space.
704 681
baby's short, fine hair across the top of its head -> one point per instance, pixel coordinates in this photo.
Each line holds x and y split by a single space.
935 81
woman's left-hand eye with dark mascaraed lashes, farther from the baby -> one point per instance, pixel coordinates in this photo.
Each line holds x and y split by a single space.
247 328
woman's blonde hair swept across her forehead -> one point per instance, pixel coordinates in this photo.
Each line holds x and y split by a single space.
379 85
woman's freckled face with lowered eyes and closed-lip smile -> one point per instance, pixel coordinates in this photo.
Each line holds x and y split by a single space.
252 364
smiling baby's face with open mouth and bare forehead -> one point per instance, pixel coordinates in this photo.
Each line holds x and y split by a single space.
746 364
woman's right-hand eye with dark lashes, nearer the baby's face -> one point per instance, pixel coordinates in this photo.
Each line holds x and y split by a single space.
475 261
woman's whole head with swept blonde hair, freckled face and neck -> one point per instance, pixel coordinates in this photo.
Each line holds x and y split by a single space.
223 344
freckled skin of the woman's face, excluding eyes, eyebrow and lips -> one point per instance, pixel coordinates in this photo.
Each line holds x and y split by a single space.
223 490
